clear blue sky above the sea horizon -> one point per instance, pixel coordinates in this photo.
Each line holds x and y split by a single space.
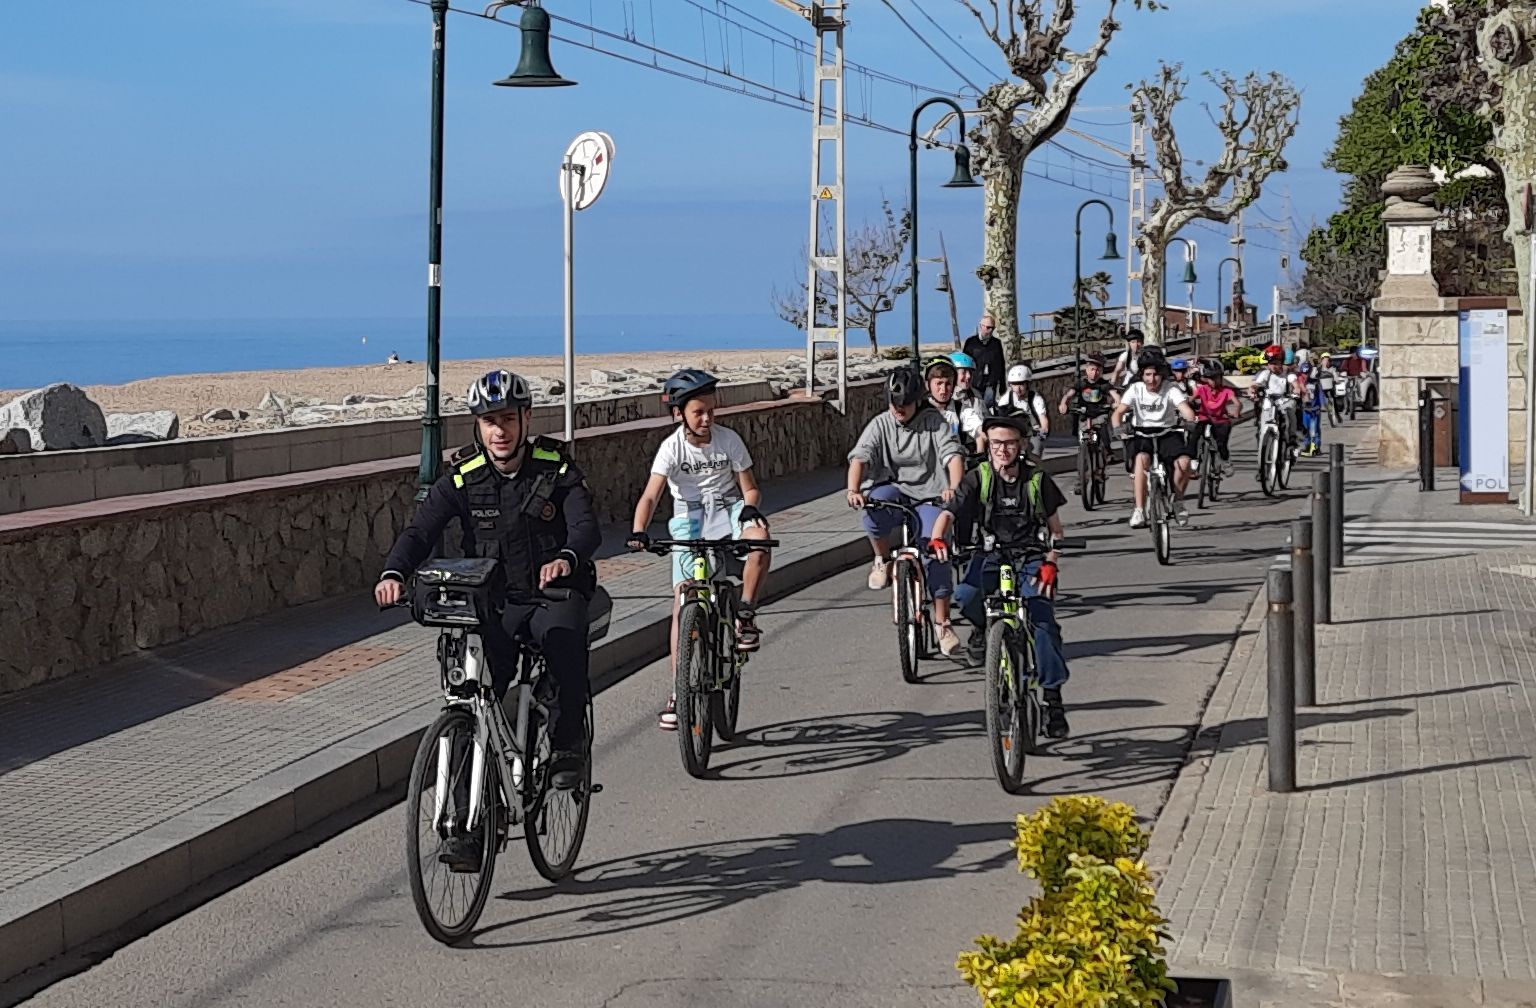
256 159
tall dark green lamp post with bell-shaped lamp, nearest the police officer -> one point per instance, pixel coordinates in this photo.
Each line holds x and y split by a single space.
534 71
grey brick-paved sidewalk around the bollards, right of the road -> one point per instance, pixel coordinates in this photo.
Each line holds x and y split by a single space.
1403 872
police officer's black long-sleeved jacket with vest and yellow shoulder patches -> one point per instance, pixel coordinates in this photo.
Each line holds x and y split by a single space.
540 514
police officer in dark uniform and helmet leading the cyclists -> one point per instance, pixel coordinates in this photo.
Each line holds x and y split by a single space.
525 503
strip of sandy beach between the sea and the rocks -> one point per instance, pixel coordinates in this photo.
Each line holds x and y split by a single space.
193 396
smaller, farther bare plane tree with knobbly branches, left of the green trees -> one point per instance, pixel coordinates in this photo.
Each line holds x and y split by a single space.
1257 119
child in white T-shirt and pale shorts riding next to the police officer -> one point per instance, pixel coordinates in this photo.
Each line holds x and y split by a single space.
715 496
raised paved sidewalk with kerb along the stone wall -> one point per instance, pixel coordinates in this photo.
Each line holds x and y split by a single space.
127 786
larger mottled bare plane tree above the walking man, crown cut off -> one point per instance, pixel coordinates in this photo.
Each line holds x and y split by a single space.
1018 118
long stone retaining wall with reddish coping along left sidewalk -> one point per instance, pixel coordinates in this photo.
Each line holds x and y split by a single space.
87 583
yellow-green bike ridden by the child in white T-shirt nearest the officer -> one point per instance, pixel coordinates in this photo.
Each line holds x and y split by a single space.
709 675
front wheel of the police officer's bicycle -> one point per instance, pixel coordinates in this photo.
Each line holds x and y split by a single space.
448 903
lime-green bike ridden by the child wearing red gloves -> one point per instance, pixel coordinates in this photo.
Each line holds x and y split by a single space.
1013 695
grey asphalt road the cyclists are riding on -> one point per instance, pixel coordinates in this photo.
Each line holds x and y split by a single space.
850 847
